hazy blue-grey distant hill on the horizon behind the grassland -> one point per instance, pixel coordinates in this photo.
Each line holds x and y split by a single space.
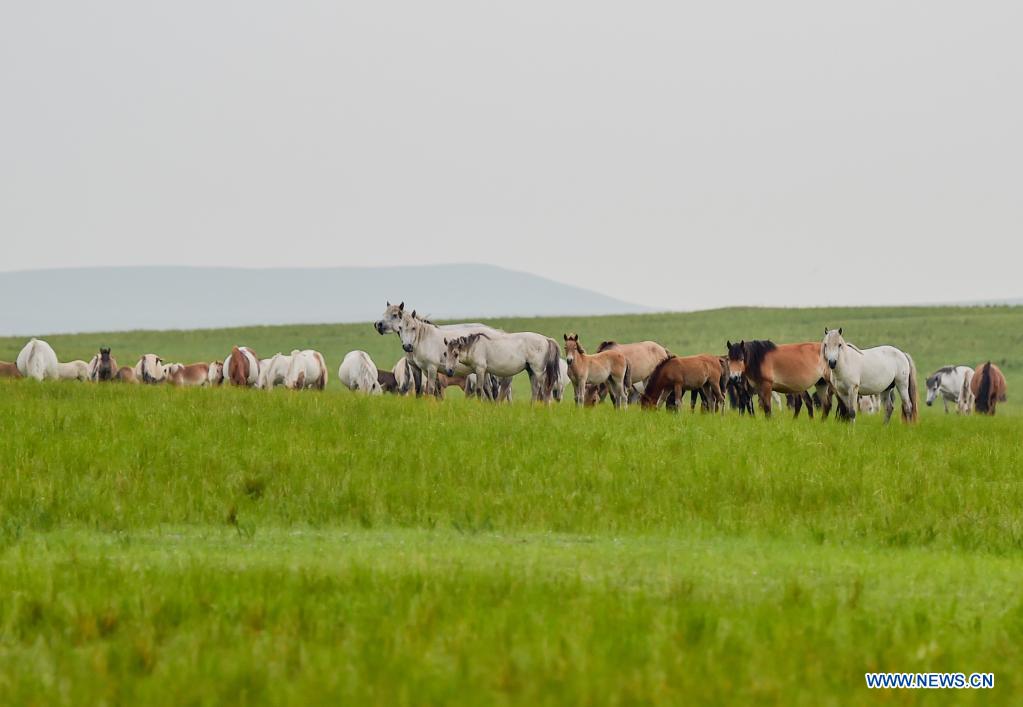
161 298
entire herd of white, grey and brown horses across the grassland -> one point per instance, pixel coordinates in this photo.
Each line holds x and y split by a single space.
483 362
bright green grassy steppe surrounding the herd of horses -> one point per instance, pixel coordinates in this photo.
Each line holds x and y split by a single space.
198 547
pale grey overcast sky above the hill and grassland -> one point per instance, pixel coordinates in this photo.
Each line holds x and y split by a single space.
676 155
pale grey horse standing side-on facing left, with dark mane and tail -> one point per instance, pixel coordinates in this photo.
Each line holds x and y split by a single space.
506 356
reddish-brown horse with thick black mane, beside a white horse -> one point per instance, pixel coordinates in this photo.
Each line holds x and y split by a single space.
787 368
